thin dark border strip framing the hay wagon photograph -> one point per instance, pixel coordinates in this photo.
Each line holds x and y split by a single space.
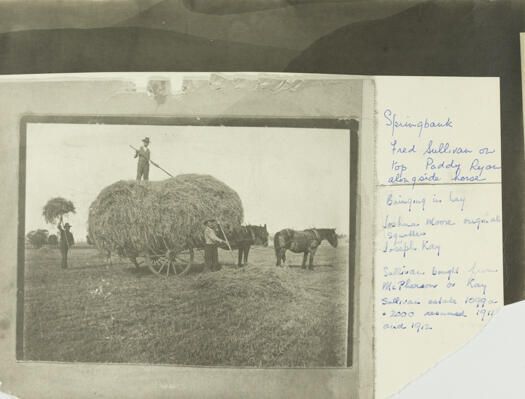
350 124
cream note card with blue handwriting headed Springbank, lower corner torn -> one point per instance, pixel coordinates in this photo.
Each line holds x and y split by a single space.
438 248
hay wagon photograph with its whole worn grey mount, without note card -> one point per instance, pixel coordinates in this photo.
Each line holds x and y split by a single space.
186 233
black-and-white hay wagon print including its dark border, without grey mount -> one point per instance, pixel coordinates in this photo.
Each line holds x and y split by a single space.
187 241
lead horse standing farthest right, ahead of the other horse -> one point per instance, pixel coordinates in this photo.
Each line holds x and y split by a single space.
305 241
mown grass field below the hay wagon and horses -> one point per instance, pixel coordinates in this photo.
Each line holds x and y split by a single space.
259 316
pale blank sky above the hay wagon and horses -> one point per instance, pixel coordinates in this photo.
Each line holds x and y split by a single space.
286 177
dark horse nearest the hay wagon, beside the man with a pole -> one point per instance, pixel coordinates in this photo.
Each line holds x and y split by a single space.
242 238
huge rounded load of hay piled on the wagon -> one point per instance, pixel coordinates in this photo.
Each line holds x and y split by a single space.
132 218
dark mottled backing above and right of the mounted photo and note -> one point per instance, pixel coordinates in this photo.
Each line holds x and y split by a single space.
471 38
